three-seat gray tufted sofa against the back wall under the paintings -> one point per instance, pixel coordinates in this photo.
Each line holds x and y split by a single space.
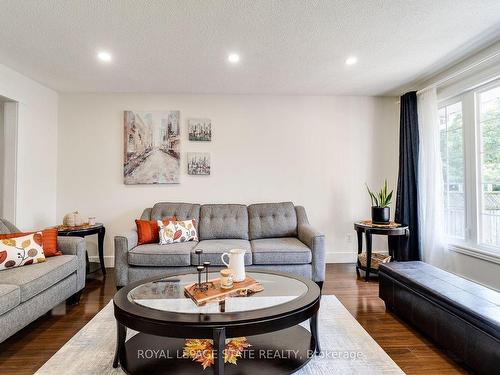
276 236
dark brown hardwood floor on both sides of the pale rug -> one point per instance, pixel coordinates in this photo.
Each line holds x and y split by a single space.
31 347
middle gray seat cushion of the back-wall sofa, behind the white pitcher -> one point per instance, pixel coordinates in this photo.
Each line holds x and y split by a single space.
213 249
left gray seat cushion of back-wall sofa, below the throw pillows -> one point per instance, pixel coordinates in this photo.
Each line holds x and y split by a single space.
155 255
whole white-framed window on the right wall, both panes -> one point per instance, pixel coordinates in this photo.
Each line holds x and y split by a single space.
470 155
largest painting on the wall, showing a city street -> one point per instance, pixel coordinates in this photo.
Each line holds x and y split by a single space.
152 147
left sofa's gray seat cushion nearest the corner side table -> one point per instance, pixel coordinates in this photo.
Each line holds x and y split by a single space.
38 277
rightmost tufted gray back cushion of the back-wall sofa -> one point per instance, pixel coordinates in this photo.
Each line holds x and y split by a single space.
271 220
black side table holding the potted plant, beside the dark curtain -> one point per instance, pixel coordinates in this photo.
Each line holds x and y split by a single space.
392 233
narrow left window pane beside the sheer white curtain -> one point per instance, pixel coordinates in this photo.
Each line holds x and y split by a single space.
452 156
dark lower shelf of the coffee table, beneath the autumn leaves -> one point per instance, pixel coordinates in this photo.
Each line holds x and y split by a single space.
276 353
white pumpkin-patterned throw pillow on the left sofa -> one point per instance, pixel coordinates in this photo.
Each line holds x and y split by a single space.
21 251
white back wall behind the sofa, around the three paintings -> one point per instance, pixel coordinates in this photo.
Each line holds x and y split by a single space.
314 151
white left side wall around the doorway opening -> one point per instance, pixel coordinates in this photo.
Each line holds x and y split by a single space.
36 149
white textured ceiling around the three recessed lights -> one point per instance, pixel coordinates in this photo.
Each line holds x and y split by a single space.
286 47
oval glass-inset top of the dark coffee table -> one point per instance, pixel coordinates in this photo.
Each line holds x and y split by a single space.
160 301
